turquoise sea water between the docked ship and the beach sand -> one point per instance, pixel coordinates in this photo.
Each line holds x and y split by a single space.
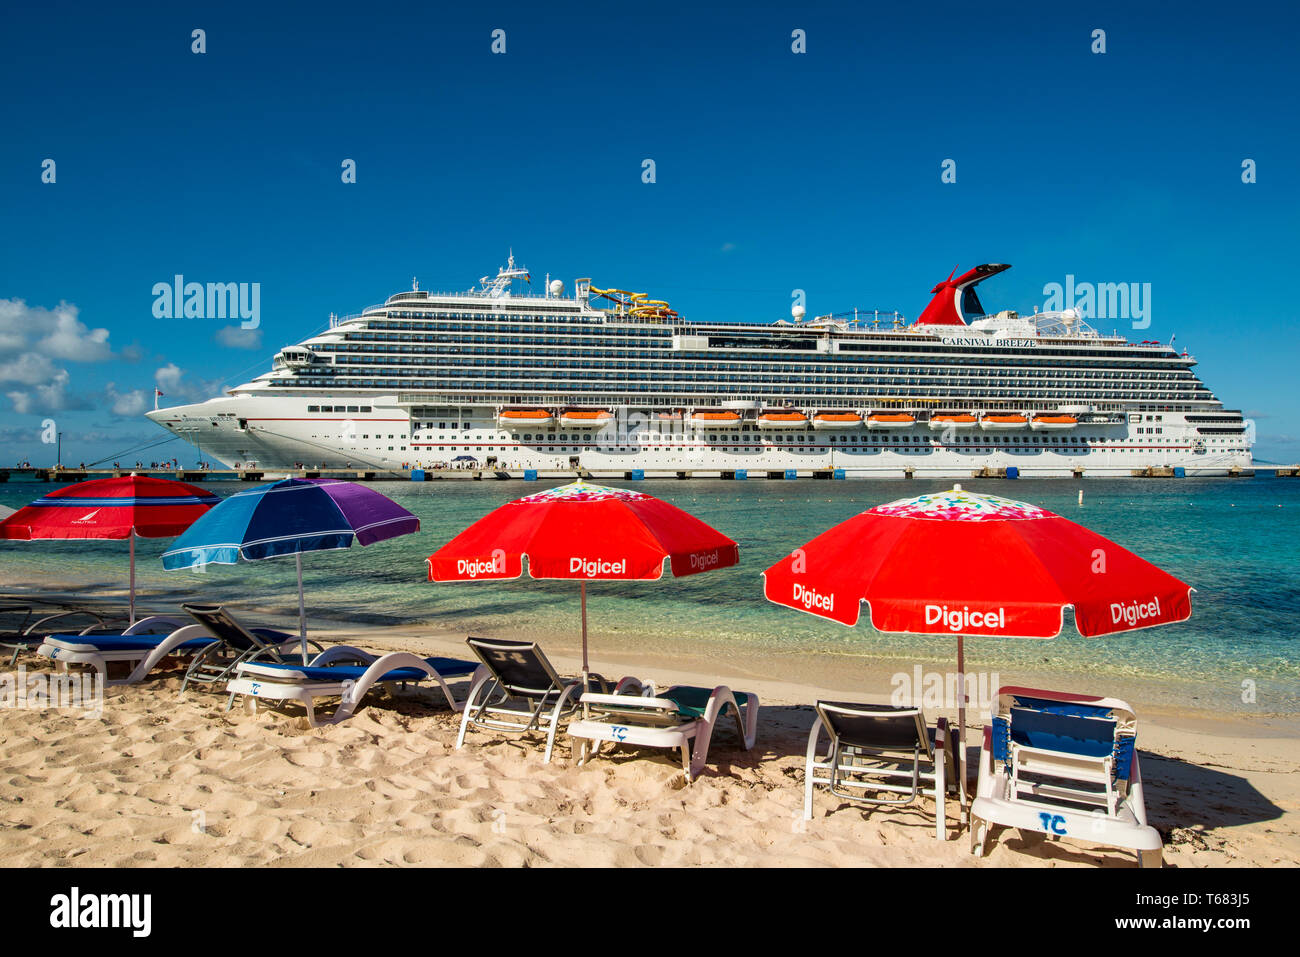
1234 540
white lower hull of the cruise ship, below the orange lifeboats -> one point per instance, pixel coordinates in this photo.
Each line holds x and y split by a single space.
276 434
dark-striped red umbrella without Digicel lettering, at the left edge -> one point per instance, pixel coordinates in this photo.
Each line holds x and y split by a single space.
112 509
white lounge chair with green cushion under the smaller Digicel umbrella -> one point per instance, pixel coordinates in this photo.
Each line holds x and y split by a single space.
638 716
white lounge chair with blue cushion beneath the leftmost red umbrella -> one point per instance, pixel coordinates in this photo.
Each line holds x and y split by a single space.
142 646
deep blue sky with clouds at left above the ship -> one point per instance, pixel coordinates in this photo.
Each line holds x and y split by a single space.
774 172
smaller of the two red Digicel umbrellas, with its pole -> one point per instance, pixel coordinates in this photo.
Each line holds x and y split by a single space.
584 532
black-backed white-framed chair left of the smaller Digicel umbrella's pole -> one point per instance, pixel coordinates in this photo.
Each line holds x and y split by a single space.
519 692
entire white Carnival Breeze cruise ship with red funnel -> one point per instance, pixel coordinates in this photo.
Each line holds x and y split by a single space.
610 383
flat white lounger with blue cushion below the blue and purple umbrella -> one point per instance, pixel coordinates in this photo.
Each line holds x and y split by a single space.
344 673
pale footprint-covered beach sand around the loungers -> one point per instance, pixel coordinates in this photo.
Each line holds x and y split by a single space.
163 781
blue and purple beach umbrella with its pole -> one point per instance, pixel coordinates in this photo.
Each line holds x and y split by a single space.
289 518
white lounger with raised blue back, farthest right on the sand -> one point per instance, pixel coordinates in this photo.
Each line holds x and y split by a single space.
1064 765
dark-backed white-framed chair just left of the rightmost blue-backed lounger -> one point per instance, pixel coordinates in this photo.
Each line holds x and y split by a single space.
883 751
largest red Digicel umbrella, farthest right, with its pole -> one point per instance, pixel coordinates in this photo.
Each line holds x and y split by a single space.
961 564
